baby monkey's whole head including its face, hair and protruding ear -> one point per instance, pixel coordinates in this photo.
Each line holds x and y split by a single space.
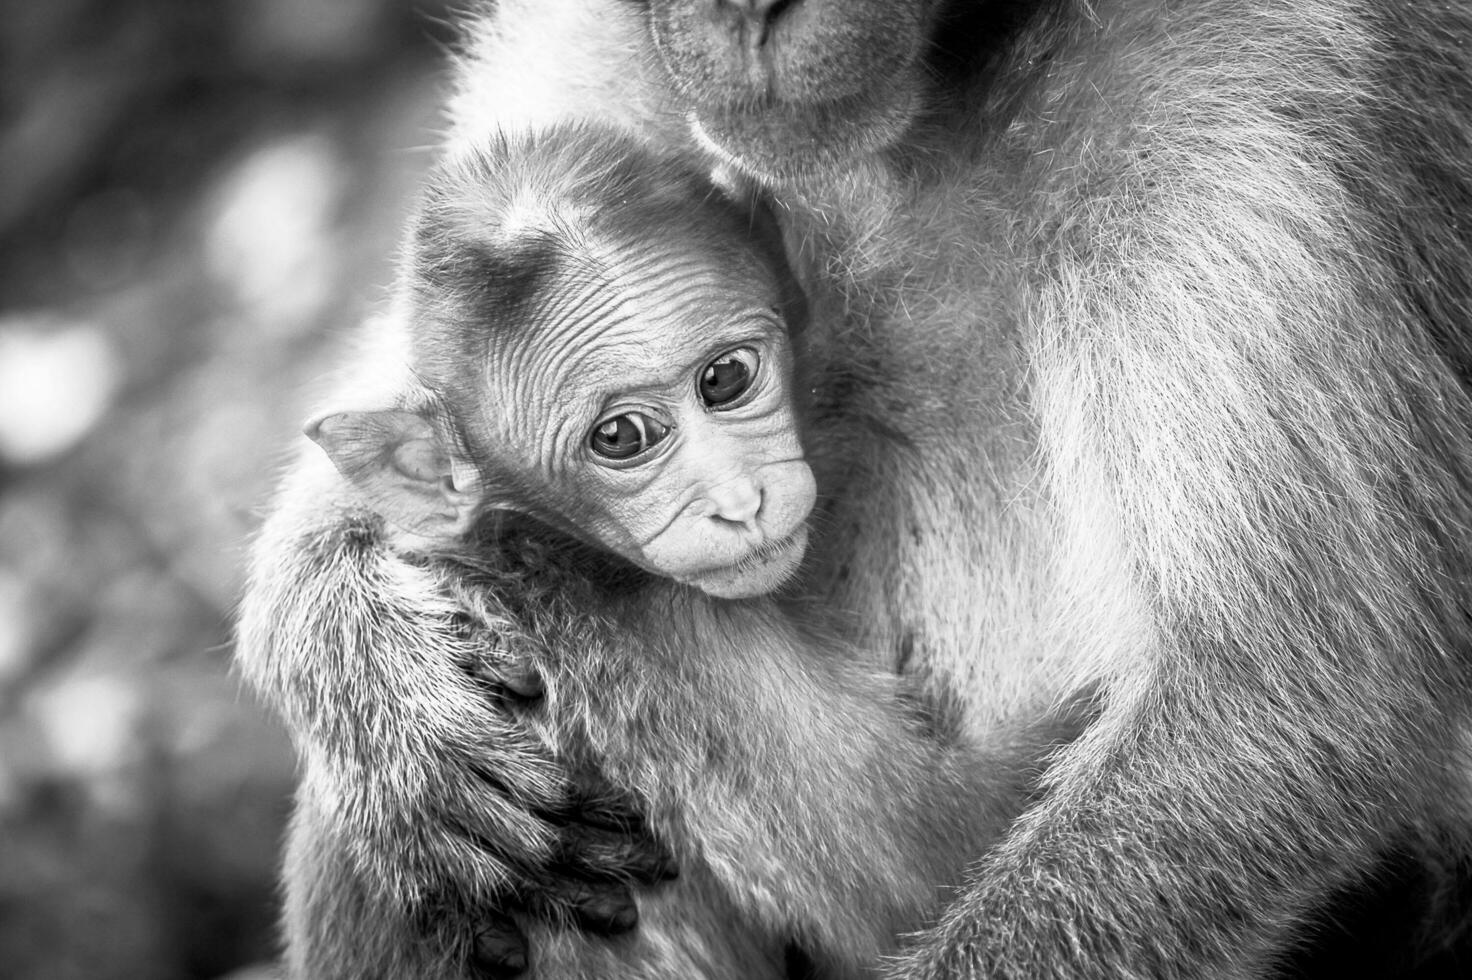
601 341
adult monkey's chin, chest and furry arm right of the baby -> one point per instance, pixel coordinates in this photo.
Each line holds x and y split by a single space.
1152 392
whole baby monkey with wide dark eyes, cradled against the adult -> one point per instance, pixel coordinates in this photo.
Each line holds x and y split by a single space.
598 452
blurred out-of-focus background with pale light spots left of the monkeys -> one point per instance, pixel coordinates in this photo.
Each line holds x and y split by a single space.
197 201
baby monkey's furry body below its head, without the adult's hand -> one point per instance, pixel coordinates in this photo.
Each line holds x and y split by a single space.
809 803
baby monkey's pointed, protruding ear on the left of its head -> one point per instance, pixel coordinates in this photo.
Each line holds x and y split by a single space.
406 470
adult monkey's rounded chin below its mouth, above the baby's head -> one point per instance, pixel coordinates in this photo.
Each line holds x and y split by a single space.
779 143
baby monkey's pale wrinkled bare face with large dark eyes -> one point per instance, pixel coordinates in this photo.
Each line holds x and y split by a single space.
656 401
